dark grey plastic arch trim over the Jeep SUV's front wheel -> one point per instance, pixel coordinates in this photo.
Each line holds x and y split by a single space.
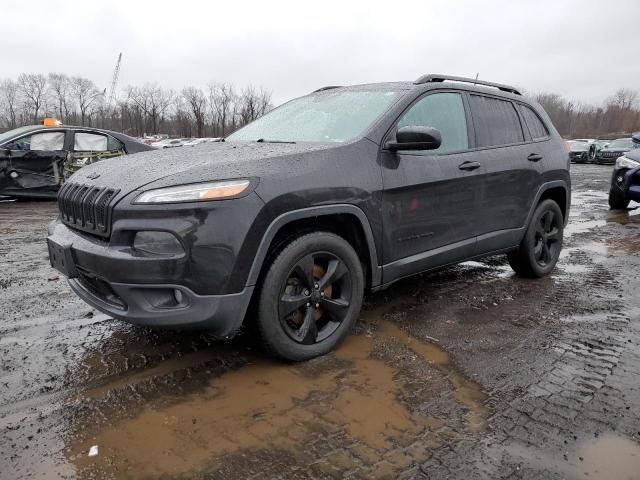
346 220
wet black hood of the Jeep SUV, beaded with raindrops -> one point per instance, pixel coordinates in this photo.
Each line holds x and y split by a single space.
175 166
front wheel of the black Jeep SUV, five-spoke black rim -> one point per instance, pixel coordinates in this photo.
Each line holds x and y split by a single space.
310 297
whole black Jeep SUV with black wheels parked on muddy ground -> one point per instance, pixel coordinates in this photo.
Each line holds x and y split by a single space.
294 216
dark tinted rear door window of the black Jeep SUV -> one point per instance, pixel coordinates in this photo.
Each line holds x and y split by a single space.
496 121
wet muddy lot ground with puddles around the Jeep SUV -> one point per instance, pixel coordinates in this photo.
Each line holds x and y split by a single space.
466 373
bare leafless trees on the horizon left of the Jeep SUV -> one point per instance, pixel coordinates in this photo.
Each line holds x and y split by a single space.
149 109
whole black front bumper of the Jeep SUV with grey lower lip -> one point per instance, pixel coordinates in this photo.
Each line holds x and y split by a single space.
203 286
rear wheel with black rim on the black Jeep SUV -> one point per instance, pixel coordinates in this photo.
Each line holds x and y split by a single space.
540 248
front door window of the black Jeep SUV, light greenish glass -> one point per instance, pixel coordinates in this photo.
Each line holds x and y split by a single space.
444 111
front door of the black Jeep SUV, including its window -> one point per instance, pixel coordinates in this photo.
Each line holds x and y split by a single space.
429 203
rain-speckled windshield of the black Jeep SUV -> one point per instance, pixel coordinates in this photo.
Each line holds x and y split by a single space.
336 116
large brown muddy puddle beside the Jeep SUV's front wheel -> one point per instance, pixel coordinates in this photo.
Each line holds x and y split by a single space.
271 405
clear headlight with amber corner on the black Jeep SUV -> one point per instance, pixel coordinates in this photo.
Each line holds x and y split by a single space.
194 192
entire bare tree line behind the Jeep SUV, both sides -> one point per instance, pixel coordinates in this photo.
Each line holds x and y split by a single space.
221 108
